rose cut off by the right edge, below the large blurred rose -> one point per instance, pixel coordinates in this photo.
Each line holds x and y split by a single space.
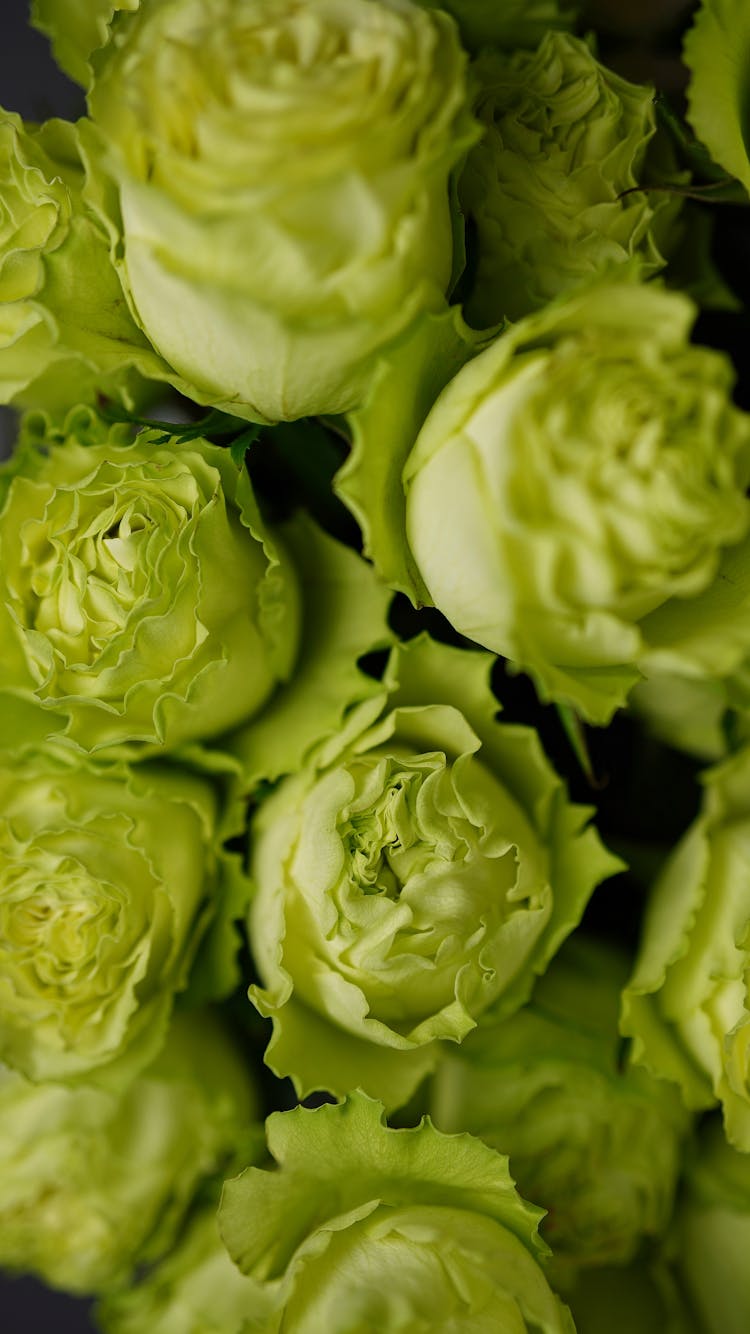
687 1005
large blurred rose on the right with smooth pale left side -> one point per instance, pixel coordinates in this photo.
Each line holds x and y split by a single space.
577 498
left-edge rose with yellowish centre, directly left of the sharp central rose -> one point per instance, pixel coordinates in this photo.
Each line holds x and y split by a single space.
109 880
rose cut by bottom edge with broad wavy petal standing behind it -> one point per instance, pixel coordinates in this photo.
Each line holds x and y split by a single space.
402 1232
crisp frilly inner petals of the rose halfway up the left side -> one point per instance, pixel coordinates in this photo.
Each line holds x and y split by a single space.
93 566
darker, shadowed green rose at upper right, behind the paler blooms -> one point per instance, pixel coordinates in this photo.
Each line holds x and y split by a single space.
554 189
